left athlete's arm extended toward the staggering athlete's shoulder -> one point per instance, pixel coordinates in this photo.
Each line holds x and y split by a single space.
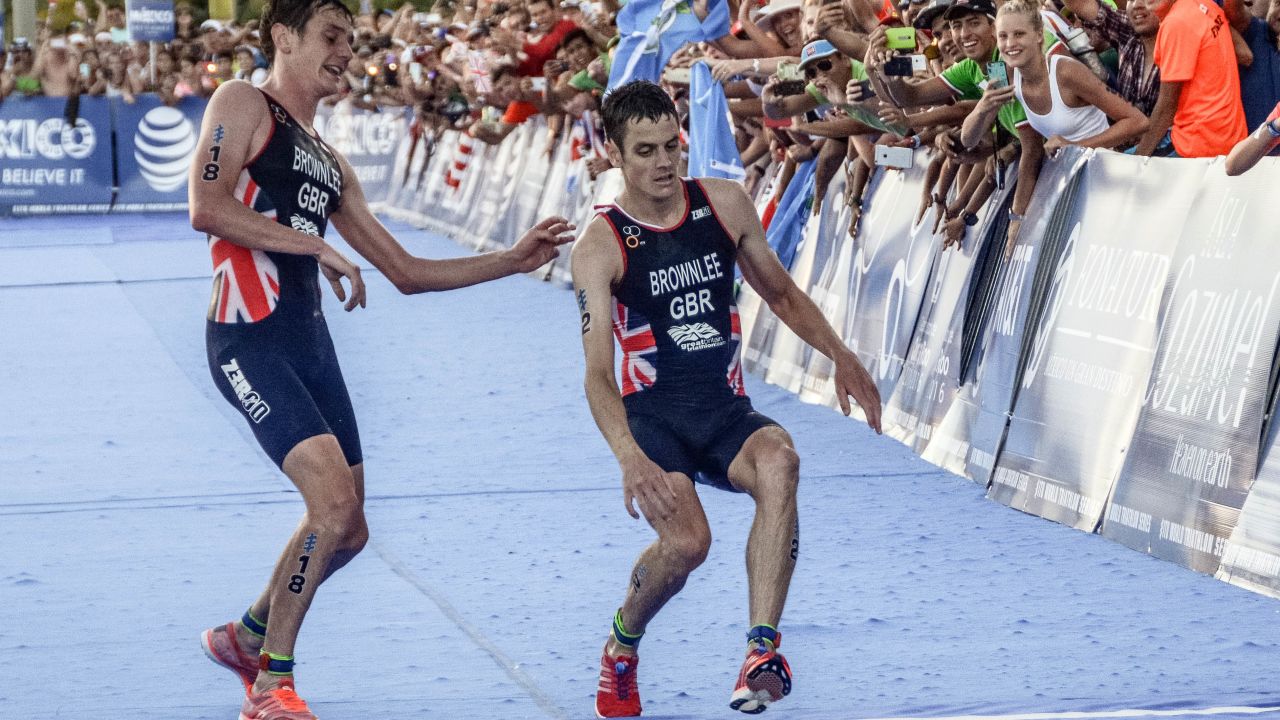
413 275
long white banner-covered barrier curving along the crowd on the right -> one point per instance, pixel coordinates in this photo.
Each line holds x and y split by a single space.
1114 371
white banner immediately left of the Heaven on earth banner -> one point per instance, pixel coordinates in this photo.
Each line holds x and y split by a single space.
1094 349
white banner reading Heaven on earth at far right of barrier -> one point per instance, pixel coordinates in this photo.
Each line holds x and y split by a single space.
1196 448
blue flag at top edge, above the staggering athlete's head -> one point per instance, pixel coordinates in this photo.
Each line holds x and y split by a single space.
655 30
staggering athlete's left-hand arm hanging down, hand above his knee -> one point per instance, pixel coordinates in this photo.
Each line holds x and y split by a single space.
597 265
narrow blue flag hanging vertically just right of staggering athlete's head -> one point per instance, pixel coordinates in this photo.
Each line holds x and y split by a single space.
712 151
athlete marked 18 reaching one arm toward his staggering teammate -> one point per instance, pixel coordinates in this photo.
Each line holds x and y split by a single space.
264 188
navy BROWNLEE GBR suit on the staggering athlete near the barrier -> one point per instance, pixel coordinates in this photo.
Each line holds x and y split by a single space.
675 318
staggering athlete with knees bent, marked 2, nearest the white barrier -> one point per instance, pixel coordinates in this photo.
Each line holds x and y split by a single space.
656 271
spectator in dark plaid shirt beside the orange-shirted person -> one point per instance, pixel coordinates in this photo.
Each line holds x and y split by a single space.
1133 35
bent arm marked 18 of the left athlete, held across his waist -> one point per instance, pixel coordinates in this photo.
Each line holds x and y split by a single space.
236 127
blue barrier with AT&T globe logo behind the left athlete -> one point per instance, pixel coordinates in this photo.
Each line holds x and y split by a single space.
134 157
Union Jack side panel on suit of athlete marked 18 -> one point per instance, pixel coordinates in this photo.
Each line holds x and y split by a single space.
246 282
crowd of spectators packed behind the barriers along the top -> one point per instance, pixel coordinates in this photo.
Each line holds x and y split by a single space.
980 83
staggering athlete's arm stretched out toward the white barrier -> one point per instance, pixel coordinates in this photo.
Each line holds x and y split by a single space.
766 275
